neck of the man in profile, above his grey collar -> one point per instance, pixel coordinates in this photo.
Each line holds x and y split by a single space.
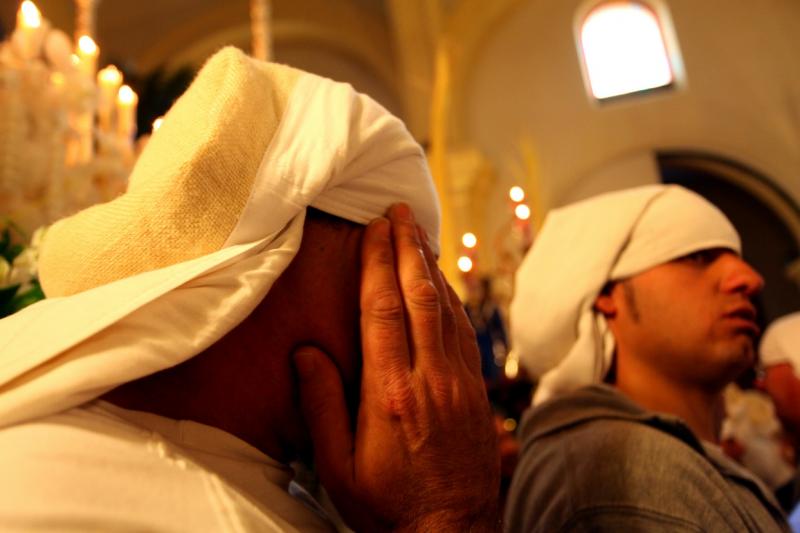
701 410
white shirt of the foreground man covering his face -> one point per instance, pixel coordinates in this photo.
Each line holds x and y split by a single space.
101 468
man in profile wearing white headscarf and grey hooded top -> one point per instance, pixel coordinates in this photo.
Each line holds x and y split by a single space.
633 309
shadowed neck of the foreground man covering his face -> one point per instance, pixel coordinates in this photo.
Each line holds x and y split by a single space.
231 388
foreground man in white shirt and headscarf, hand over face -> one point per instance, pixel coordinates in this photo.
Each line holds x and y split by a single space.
154 389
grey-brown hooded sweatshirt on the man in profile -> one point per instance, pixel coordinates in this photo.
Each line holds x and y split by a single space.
593 460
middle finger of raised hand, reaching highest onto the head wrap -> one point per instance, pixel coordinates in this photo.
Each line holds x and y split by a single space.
422 304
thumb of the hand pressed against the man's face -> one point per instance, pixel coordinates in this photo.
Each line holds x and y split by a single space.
324 410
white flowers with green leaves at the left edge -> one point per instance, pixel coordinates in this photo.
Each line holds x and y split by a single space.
19 283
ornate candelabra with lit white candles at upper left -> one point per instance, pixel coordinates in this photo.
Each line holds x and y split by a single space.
66 132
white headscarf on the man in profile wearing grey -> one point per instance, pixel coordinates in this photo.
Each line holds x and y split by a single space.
555 331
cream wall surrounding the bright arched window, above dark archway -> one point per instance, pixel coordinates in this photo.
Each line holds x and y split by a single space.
741 101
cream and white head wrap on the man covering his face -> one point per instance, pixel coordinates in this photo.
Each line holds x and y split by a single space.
209 222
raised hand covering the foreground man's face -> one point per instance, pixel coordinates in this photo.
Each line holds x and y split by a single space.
423 456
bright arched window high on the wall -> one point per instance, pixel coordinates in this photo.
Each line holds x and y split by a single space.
624 49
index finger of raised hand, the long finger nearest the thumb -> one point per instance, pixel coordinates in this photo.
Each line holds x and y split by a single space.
383 331
